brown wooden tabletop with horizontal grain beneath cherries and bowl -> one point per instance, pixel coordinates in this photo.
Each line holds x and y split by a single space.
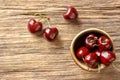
24 56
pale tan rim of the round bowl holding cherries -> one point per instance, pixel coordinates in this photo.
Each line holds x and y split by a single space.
85 67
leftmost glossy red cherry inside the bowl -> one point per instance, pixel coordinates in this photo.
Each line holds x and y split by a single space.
82 52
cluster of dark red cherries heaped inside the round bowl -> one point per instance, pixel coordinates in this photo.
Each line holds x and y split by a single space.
96 51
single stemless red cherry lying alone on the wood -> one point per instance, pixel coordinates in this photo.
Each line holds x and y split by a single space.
71 14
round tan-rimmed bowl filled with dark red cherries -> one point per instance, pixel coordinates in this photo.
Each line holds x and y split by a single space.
92 49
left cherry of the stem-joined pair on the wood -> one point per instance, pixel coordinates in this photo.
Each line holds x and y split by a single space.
34 26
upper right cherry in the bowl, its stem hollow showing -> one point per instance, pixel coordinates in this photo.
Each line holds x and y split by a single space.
104 43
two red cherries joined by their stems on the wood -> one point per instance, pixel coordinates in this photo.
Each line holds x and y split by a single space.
48 32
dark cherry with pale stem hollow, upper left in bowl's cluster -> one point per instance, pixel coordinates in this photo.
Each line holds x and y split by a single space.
91 41
